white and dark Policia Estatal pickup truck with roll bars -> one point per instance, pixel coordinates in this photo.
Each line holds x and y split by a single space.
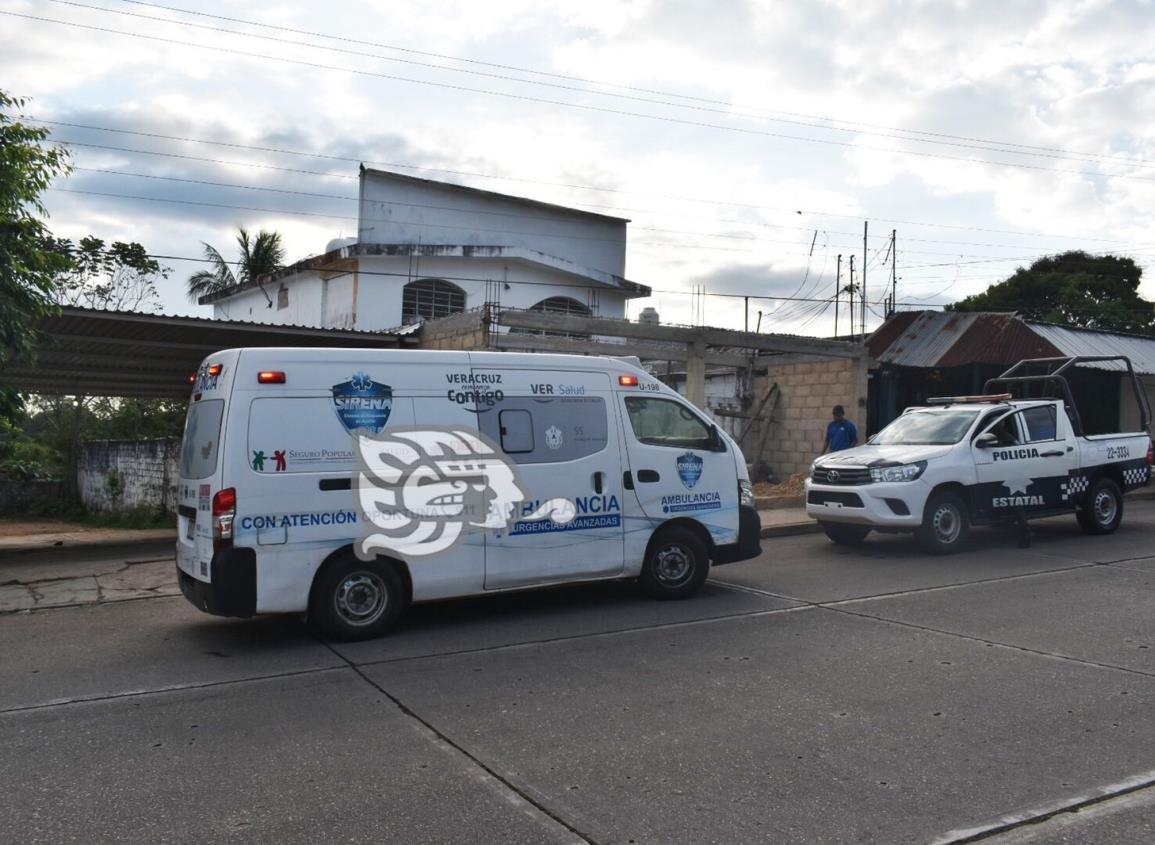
981 460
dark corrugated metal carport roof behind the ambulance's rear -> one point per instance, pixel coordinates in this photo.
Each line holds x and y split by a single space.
125 354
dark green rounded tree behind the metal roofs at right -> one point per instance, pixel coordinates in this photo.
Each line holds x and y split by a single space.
1093 291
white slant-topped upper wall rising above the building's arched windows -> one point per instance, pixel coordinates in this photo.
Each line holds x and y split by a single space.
403 211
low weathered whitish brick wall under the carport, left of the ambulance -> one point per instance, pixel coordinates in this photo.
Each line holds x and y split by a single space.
129 475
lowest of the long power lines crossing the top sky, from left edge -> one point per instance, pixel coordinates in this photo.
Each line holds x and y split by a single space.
583 107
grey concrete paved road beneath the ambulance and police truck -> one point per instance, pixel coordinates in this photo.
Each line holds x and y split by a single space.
817 694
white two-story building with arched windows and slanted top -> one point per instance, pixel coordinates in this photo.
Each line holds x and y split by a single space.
426 250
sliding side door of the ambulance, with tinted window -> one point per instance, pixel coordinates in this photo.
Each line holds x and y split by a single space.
557 429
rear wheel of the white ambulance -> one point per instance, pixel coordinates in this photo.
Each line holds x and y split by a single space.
356 600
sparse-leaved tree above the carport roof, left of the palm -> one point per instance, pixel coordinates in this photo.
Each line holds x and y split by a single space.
115 276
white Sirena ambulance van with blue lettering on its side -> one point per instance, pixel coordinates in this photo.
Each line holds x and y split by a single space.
349 483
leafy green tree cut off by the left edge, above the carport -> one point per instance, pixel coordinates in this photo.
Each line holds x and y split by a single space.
31 260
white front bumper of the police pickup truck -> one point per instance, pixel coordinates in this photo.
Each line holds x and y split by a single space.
885 505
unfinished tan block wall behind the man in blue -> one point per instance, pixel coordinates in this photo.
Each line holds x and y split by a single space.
809 388
